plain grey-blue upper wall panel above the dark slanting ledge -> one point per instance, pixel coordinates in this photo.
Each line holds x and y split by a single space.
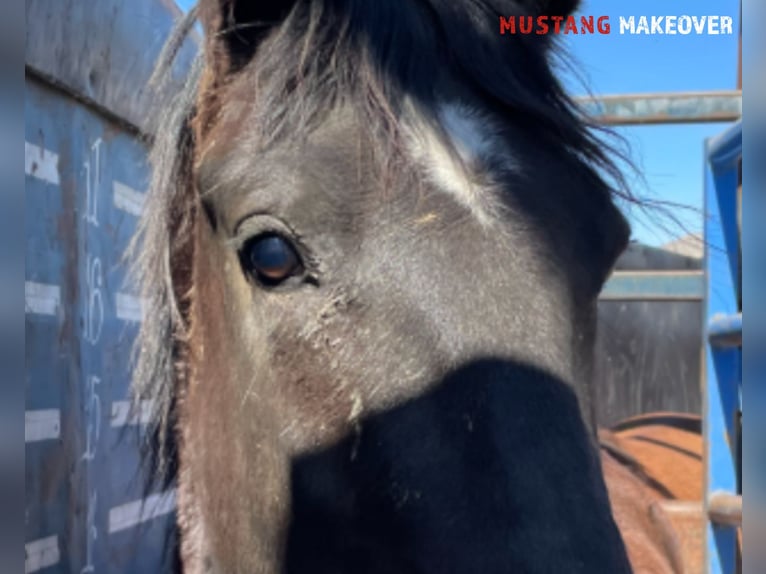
109 68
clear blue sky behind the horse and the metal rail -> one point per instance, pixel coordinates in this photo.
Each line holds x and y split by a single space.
669 156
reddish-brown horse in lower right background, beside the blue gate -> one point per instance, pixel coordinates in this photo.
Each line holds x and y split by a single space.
654 472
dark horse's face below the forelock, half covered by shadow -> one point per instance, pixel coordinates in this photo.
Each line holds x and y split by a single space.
386 341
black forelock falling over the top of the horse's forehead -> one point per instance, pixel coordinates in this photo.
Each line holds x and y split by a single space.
378 55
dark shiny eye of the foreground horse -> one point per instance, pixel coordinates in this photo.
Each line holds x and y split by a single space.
271 259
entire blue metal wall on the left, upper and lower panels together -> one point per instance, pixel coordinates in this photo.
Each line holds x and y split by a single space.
86 93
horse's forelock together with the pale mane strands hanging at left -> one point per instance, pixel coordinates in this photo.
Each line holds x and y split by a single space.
375 56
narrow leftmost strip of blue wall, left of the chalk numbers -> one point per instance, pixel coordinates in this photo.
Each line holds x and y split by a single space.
53 497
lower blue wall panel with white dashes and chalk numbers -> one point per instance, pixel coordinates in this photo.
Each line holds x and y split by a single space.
85 180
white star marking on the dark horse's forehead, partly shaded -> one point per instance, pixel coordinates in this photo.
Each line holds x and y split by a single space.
457 166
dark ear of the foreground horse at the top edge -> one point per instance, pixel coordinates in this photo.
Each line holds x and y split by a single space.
235 28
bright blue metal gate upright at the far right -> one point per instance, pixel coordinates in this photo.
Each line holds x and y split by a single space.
723 360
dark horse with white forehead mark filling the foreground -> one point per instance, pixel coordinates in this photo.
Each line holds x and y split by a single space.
370 257
